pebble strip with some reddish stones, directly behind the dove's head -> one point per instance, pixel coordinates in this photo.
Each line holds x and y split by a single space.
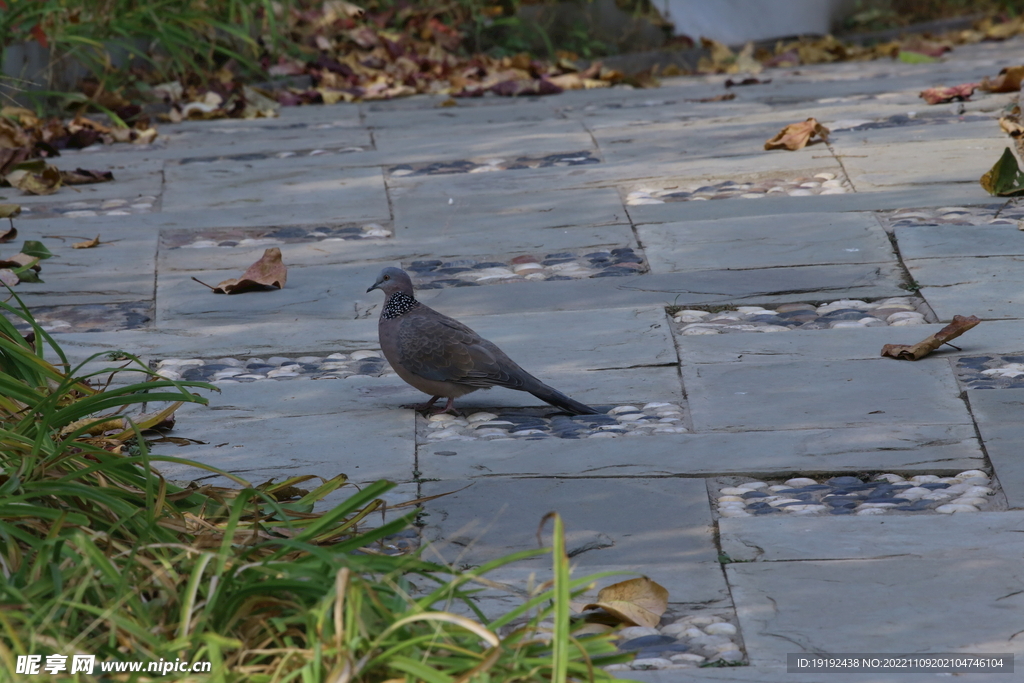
562 266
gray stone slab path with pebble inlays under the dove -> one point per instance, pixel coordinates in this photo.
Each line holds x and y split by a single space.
653 227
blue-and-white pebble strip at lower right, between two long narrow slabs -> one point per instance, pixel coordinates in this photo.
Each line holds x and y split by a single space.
968 492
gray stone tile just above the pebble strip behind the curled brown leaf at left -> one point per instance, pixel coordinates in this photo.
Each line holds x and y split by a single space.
284 184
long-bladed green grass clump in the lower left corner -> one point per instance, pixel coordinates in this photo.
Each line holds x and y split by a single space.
101 556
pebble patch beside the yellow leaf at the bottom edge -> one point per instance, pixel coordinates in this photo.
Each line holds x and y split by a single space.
684 644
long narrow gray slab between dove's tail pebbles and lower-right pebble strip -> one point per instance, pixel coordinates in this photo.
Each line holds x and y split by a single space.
913 449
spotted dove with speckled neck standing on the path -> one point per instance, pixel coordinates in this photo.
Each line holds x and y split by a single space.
443 358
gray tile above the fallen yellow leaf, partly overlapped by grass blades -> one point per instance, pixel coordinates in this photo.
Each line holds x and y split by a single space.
668 528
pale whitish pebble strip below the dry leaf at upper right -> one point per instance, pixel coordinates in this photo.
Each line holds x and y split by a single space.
823 184
